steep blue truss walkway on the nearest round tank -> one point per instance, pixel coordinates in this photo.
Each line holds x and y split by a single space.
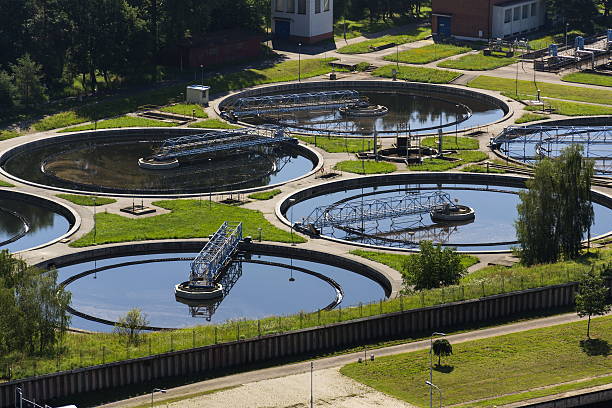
216 254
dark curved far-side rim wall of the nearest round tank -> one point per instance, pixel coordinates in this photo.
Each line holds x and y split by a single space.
160 247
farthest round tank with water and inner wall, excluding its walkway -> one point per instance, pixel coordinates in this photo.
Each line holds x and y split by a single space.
394 107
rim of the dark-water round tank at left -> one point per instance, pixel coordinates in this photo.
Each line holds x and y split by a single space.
7 153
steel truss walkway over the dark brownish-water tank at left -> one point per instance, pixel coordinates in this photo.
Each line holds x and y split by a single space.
220 141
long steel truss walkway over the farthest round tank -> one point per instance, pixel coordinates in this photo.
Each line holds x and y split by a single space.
256 105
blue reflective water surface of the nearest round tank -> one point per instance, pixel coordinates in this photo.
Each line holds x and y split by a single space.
261 291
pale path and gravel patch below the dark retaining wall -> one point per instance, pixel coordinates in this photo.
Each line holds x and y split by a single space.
265 377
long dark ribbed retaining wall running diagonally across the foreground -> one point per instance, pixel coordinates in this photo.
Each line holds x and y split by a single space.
241 354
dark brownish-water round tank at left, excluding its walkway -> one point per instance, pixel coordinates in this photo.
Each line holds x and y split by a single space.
108 162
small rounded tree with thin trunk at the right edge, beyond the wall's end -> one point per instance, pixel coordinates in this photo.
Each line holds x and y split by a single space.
591 299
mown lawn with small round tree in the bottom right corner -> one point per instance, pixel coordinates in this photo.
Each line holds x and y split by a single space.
525 360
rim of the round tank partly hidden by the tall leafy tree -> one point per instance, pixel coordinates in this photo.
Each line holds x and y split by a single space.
414 178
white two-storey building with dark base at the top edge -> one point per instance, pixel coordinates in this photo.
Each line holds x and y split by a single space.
307 21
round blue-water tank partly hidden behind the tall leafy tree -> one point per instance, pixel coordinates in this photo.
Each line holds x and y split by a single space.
480 217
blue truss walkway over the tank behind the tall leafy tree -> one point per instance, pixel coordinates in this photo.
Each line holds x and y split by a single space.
356 212
